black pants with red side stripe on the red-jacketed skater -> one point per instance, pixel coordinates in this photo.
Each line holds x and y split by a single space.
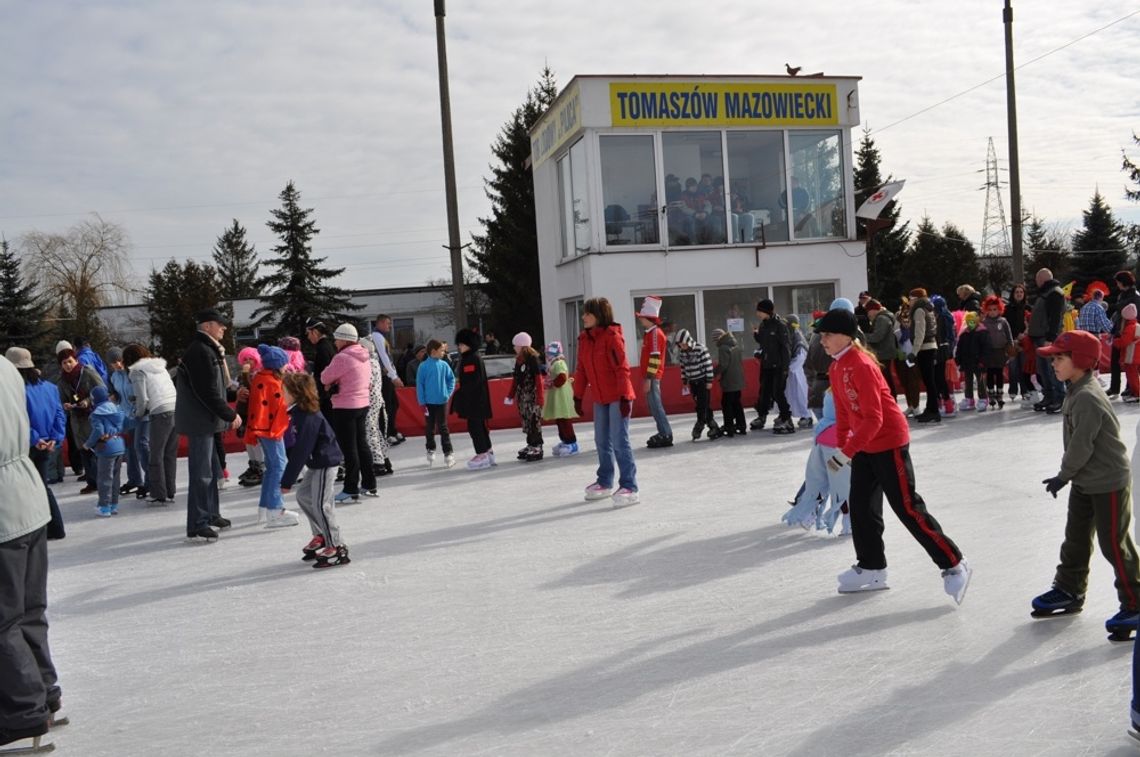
892 471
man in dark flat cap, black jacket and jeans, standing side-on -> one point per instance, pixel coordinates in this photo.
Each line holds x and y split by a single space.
202 411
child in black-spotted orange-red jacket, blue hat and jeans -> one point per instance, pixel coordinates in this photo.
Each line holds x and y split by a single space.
266 425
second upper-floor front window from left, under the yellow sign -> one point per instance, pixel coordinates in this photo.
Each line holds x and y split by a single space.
695 188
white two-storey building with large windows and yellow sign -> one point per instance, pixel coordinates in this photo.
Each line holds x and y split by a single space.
679 186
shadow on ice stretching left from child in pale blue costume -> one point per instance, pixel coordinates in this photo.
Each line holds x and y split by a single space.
653 566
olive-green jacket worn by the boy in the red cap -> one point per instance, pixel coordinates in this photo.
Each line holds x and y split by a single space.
1096 460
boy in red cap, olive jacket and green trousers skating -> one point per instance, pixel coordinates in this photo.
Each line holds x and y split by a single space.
1096 463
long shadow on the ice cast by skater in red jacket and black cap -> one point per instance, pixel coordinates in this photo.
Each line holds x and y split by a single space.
610 683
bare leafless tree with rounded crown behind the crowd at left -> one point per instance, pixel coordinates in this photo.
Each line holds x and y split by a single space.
80 271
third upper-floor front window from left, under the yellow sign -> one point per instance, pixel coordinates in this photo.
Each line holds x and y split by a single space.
756 178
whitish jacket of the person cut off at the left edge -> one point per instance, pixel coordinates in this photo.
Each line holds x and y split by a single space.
23 496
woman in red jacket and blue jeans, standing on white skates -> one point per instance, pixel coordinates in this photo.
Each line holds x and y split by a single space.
604 367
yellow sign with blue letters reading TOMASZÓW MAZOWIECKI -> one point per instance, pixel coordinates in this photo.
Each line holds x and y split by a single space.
688 104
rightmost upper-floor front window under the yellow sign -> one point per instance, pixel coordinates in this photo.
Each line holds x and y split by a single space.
819 207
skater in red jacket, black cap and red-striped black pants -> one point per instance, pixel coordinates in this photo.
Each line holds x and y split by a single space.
875 441
